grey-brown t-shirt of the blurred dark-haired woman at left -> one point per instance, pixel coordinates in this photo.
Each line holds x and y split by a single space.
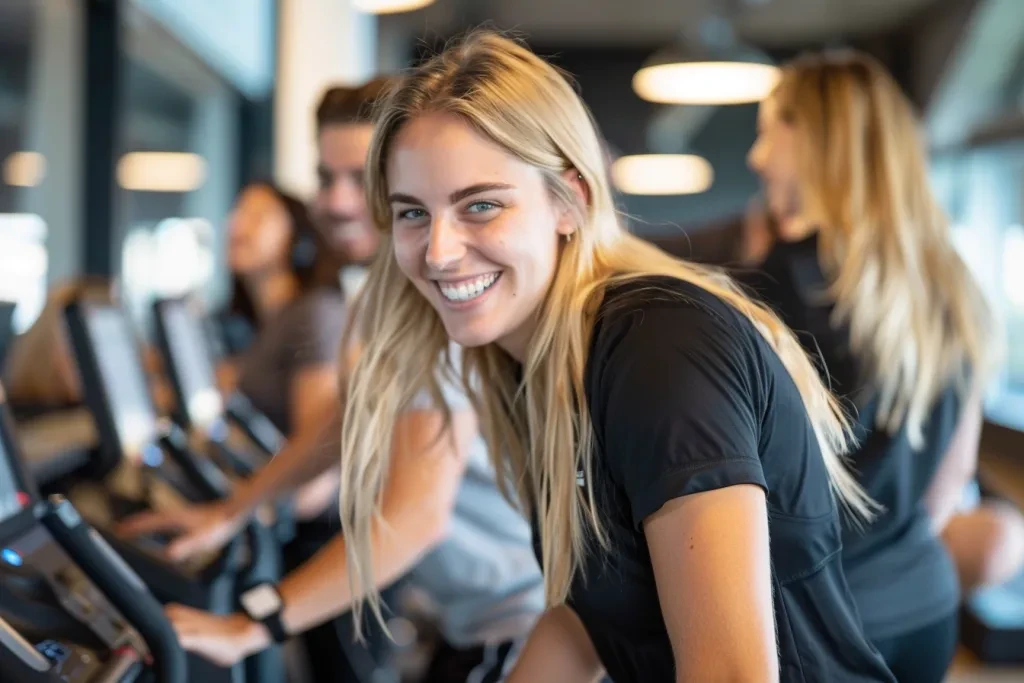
308 332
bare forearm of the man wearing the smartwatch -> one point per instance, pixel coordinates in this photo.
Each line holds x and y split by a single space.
320 590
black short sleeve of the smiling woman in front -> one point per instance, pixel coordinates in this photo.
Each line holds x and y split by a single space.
677 405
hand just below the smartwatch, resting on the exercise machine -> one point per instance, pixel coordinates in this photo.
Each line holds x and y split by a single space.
223 641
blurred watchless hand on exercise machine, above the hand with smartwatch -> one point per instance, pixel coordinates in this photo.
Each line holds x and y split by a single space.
203 528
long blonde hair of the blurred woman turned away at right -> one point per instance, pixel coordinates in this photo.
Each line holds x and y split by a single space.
917 318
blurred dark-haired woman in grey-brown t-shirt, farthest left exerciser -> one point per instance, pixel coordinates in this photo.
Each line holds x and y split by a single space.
287 285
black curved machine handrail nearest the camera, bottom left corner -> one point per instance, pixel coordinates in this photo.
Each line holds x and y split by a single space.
121 586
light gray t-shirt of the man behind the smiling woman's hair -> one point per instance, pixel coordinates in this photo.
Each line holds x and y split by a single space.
484 577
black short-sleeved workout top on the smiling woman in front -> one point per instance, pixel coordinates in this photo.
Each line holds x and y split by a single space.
687 397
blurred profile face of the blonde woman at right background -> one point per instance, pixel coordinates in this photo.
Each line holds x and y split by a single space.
774 157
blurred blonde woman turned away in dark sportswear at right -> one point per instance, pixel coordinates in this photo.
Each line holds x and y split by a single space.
866 273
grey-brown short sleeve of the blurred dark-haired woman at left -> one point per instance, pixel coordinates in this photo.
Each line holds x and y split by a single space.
315 329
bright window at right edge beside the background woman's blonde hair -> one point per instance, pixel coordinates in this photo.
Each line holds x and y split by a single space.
983 191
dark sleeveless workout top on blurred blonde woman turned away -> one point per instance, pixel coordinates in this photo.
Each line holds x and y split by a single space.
900 572
